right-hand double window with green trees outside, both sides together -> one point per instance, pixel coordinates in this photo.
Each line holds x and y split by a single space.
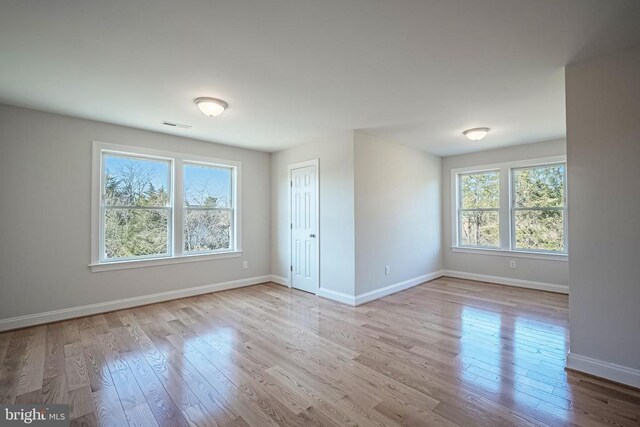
531 193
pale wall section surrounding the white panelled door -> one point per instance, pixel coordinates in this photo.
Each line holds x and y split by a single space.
337 247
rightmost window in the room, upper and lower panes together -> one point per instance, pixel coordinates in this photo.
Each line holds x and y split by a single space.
538 213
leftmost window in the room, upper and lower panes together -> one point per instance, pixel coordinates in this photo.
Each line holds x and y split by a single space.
135 207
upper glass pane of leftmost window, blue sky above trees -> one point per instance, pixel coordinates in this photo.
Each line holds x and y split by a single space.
132 181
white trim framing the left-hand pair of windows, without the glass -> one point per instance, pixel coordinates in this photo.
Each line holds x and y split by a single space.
176 240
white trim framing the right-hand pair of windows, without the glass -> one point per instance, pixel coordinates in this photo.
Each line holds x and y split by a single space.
506 226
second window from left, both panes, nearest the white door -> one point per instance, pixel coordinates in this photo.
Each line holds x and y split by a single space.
208 208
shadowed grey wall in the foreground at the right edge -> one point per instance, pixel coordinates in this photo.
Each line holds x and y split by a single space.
603 144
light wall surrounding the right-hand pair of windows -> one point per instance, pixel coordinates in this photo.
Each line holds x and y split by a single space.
545 271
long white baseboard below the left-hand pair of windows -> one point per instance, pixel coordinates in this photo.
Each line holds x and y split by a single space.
103 307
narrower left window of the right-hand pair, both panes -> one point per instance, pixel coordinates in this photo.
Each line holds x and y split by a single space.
479 209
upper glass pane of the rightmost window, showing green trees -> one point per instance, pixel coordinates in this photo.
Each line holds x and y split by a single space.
540 187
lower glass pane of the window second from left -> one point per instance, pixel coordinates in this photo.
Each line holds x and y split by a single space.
207 230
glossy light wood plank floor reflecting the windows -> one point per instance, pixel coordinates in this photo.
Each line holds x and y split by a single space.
444 353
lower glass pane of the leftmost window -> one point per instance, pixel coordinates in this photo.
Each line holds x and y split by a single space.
130 233
